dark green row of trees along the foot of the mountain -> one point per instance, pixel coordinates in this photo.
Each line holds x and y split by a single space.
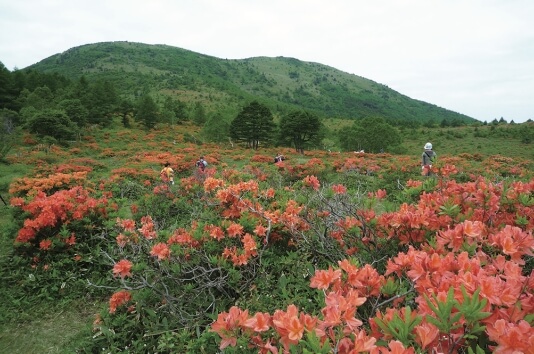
57 110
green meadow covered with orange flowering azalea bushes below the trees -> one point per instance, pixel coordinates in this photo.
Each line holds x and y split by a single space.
325 252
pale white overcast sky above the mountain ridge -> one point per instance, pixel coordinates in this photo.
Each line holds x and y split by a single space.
474 57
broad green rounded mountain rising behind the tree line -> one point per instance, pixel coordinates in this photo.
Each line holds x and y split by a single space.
223 85
